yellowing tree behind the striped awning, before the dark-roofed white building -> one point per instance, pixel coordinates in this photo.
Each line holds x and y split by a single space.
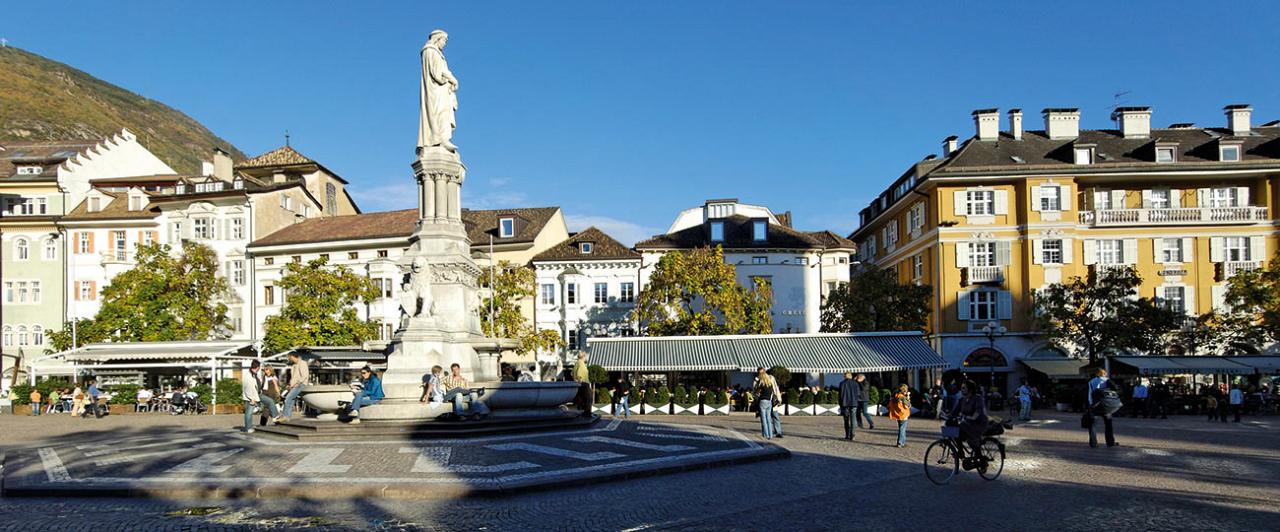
696 293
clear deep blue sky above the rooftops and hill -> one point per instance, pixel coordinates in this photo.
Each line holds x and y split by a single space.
624 114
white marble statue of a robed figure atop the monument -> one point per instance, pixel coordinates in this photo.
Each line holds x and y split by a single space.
437 97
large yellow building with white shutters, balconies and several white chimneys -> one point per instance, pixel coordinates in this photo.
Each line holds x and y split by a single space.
1012 210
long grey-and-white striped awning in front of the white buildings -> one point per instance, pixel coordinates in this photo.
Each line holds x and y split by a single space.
819 354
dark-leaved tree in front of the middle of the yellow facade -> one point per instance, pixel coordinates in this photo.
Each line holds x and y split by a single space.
1103 315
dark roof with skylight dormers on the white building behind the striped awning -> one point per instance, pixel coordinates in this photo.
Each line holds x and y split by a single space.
738 235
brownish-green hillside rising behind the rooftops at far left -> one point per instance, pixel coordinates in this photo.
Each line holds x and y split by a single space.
44 100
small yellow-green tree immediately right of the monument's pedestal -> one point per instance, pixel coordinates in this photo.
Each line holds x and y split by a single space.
509 285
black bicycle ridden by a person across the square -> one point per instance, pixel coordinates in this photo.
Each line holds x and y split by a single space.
945 457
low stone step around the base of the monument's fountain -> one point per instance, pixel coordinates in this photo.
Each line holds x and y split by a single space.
308 430
